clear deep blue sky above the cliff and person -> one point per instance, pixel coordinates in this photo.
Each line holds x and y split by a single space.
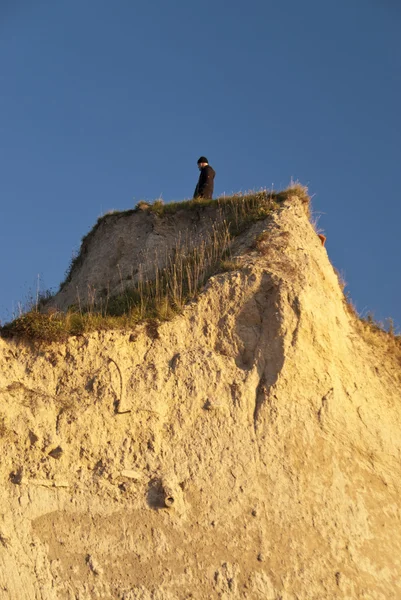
103 104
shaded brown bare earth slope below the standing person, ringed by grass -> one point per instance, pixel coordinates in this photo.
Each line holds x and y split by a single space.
124 247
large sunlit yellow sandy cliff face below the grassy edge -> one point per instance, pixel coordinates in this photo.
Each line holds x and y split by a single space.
261 416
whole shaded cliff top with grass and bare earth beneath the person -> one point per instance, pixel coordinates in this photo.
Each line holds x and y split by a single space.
148 262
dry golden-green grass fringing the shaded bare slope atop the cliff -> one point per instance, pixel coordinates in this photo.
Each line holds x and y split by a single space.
171 288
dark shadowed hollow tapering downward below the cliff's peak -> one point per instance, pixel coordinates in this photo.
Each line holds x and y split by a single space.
261 341
